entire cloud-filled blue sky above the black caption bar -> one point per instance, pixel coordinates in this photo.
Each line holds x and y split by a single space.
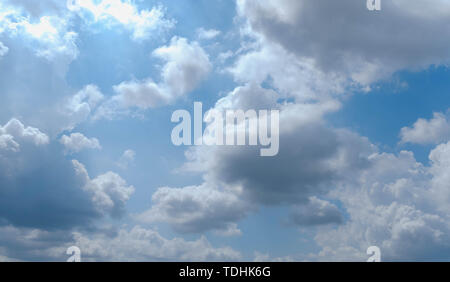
88 89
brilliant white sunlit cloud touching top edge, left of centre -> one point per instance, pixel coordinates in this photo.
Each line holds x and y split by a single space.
142 23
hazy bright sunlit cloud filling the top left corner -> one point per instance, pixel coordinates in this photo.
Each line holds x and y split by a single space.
48 34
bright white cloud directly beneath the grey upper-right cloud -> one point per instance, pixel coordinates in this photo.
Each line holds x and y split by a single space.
291 76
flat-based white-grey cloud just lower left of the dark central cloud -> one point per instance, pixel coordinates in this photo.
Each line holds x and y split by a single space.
197 209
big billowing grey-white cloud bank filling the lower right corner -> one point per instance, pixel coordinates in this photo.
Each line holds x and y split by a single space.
396 204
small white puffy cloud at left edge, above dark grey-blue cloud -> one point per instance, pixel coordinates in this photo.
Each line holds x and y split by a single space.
14 132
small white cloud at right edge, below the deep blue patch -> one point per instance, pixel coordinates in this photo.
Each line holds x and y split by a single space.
433 131
